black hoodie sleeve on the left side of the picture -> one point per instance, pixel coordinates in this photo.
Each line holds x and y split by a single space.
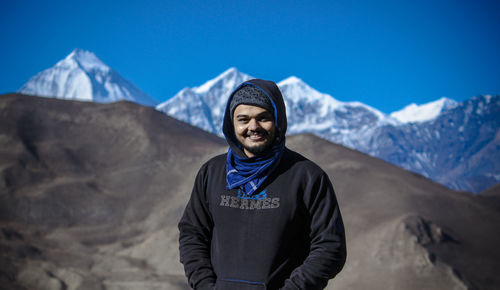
195 231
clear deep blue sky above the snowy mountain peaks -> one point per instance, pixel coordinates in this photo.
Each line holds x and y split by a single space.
386 54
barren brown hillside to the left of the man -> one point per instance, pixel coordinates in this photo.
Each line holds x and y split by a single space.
86 187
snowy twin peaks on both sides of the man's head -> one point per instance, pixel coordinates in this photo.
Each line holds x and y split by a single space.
307 109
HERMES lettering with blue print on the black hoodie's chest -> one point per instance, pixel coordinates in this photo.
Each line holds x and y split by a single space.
255 202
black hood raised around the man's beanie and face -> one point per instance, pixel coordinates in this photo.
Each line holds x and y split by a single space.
272 91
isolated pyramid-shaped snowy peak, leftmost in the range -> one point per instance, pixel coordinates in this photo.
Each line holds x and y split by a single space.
83 76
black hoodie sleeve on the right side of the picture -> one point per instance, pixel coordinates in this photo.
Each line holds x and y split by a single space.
328 250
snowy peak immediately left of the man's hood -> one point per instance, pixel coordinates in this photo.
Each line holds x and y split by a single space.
204 106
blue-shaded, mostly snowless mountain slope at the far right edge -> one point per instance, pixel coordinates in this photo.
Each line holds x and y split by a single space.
458 148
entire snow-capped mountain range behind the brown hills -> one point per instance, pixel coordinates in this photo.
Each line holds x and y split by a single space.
455 144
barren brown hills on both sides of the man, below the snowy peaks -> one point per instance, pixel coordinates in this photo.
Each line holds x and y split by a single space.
91 195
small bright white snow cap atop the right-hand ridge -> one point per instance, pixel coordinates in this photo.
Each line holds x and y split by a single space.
422 113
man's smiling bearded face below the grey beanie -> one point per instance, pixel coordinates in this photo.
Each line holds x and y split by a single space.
254 128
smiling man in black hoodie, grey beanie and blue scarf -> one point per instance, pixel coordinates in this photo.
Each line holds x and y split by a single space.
260 216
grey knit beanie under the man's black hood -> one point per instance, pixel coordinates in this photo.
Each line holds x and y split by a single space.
250 95
